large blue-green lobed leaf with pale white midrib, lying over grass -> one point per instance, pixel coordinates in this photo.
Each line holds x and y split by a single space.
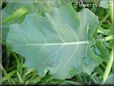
58 43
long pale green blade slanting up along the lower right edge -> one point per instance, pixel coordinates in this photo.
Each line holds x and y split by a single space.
108 67
